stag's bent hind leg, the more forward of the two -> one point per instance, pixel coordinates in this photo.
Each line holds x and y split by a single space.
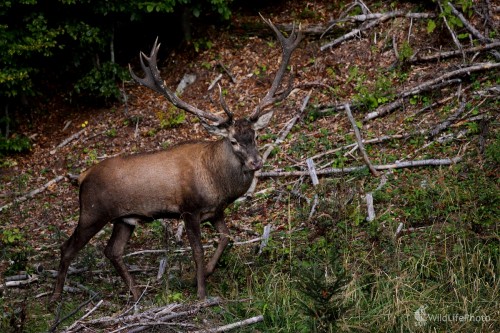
114 252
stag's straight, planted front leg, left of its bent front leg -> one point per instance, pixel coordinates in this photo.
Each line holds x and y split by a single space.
193 232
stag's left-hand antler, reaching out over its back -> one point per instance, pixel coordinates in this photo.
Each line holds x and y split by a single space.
154 81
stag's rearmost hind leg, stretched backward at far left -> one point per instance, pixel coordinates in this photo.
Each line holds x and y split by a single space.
70 248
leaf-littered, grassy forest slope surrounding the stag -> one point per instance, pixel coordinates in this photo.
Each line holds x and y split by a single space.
431 249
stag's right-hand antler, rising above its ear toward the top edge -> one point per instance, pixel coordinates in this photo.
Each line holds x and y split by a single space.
288 45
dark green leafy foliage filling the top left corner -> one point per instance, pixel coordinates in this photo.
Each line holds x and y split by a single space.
40 42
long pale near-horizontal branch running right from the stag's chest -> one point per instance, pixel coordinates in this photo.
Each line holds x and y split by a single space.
397 165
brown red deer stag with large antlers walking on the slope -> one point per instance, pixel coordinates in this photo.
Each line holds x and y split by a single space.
192 181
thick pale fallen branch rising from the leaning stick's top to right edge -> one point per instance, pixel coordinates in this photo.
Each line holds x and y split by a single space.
431 85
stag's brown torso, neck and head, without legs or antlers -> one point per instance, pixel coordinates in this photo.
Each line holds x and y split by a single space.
202 176
